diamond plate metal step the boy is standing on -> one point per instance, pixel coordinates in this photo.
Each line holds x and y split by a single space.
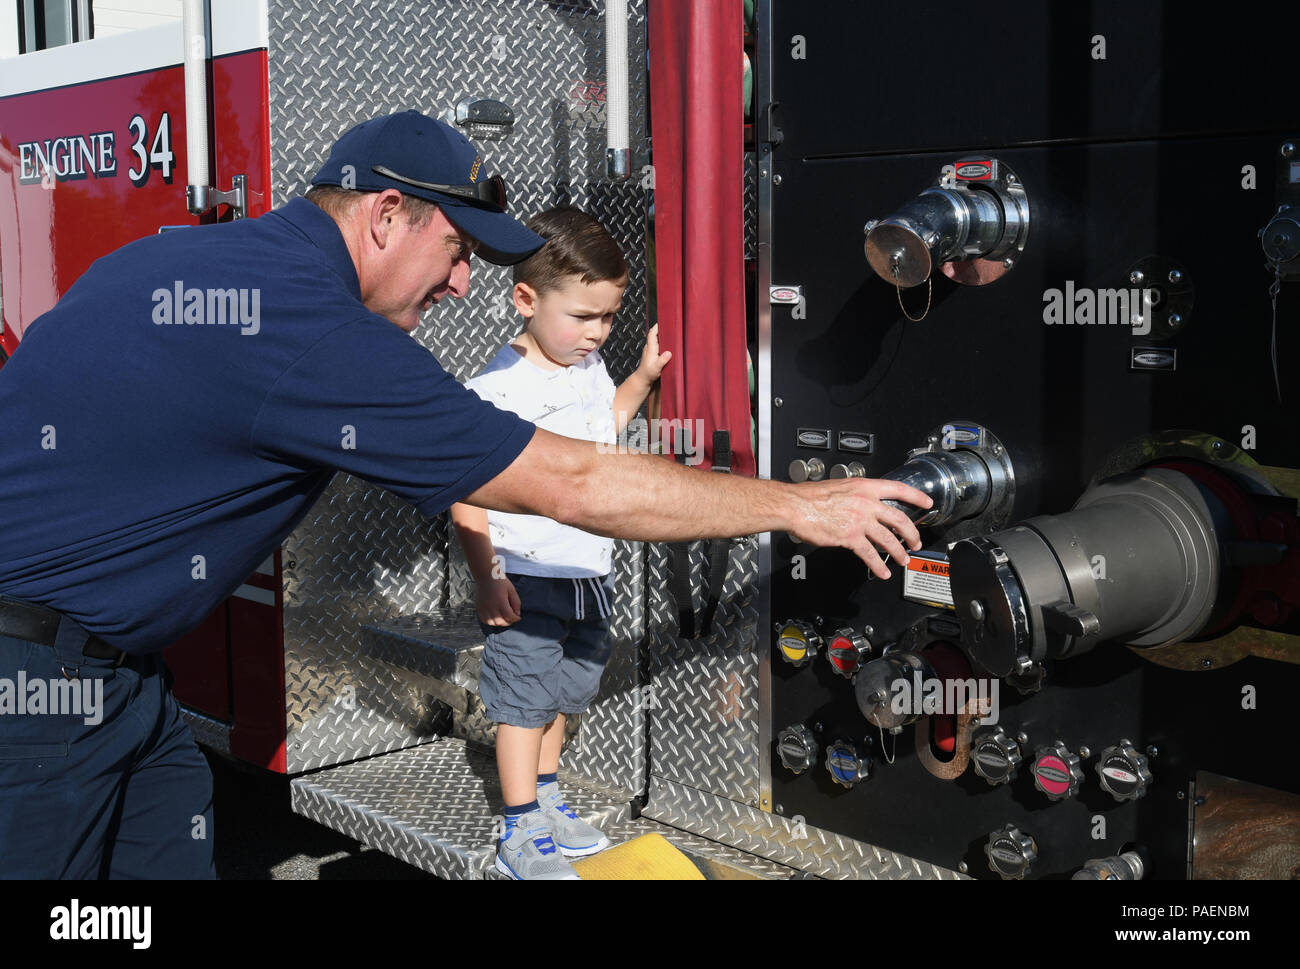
436 807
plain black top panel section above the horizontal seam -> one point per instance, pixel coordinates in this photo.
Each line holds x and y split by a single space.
877 79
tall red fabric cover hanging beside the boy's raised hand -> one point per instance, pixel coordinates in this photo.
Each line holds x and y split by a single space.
696 92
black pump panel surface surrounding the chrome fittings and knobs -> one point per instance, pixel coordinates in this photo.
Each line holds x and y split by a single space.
1139 155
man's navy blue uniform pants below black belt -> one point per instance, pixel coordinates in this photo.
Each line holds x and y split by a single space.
99 773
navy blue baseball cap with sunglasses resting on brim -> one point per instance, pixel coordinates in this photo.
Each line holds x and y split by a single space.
430 159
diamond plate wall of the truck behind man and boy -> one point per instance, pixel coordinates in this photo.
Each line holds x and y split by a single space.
362 556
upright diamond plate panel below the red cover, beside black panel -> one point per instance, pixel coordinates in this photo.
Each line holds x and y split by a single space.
704 730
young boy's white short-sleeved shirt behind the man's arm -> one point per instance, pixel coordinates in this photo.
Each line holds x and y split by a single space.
574 401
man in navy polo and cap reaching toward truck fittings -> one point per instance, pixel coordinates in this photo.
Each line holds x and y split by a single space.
151 457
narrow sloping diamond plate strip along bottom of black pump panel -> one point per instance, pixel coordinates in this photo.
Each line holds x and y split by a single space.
785 841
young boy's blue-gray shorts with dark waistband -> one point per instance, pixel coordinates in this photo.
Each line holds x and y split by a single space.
552 660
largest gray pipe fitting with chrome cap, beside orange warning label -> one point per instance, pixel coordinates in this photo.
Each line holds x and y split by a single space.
1137 561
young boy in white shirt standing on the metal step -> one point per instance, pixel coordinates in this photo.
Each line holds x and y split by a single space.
544 590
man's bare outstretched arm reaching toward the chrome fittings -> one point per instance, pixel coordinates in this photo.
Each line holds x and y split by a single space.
649 499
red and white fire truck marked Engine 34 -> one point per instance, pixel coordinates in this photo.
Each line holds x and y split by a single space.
1037 261
